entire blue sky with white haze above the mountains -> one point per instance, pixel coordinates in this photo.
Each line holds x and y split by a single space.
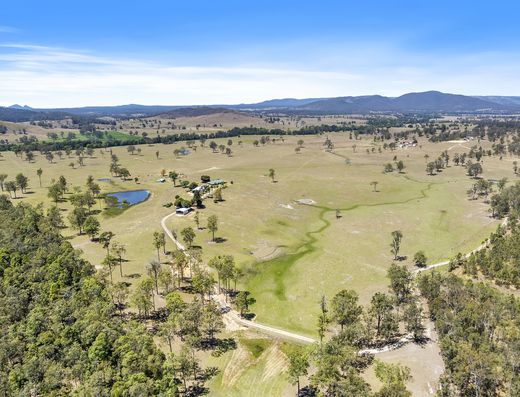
65 53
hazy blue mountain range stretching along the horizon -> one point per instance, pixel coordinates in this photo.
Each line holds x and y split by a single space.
420 102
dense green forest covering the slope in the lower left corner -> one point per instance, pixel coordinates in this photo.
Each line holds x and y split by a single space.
59 334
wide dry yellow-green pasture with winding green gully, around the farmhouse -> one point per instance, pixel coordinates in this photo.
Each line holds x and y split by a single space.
291 253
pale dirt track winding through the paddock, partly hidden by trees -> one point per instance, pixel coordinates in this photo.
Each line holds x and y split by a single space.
234 317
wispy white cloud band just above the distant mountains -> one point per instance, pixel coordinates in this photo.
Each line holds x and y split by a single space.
43 76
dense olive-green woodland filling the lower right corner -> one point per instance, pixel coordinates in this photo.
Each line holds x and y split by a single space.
479 334
